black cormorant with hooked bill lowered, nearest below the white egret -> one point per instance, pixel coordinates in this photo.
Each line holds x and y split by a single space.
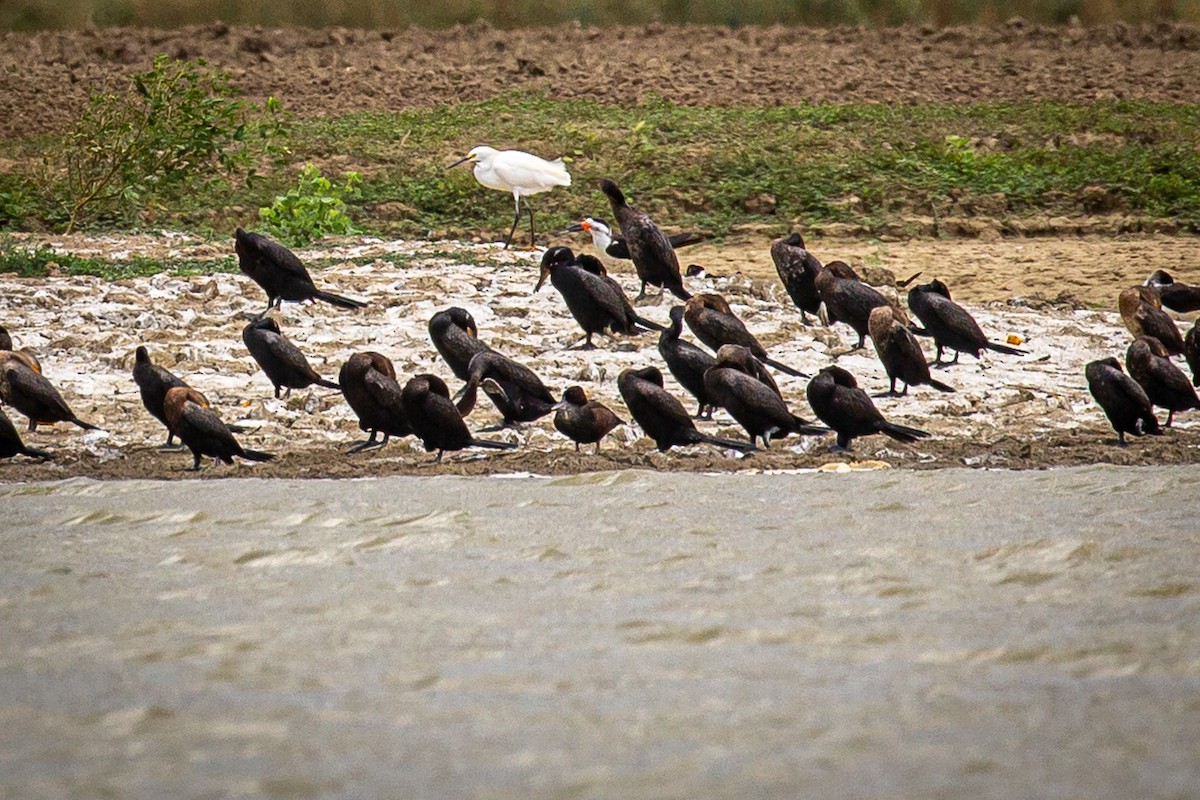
595 300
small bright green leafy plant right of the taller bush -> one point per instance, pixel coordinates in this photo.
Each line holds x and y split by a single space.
314 209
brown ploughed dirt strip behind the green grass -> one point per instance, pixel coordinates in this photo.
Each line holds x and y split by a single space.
44 77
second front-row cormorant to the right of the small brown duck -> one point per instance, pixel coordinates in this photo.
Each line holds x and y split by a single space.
757 406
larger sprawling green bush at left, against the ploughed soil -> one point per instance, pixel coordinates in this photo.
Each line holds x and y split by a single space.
178 128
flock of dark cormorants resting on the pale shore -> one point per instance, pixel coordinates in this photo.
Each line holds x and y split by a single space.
735 380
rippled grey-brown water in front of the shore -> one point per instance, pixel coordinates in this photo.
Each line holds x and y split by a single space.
920 635
